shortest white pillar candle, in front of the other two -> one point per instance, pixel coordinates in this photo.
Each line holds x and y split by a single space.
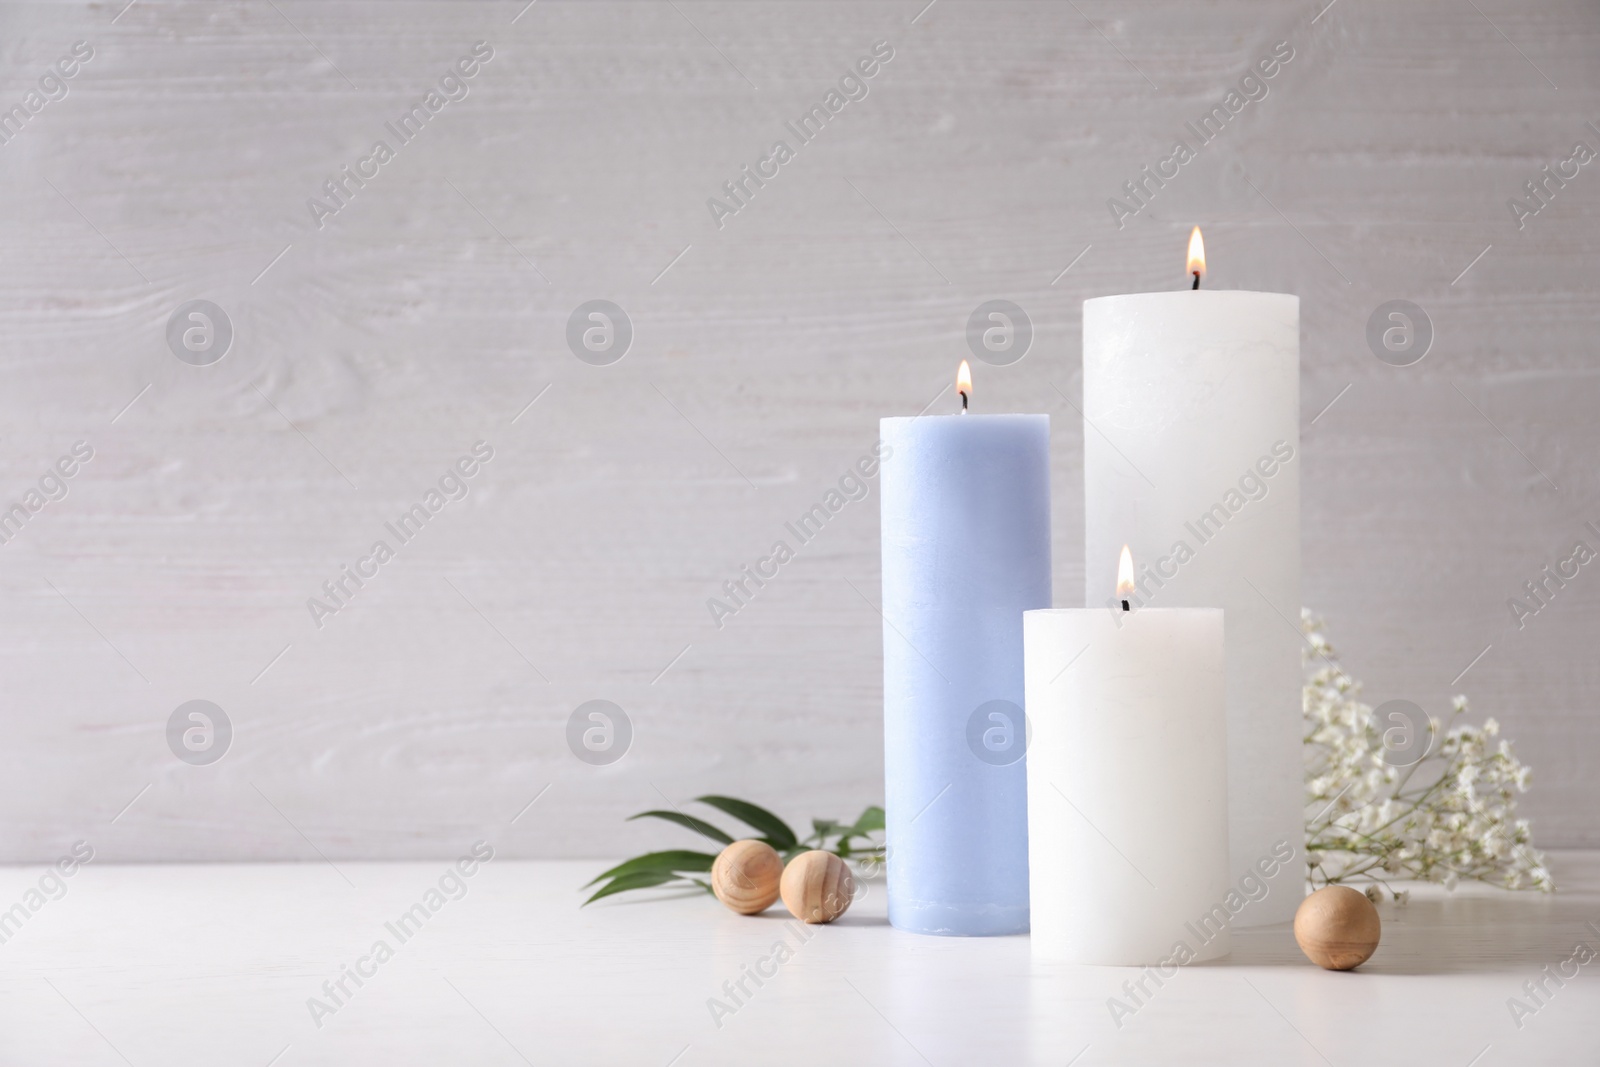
1127 786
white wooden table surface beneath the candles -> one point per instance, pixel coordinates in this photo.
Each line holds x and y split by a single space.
215 965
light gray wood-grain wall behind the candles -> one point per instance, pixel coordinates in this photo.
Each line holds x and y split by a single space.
430 311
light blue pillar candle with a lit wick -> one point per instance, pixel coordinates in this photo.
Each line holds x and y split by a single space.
966 554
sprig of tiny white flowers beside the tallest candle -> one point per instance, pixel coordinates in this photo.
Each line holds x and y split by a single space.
1447 818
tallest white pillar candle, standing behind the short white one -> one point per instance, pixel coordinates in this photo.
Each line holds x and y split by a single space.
1191 457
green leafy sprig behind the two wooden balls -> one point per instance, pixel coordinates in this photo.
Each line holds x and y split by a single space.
679 868
